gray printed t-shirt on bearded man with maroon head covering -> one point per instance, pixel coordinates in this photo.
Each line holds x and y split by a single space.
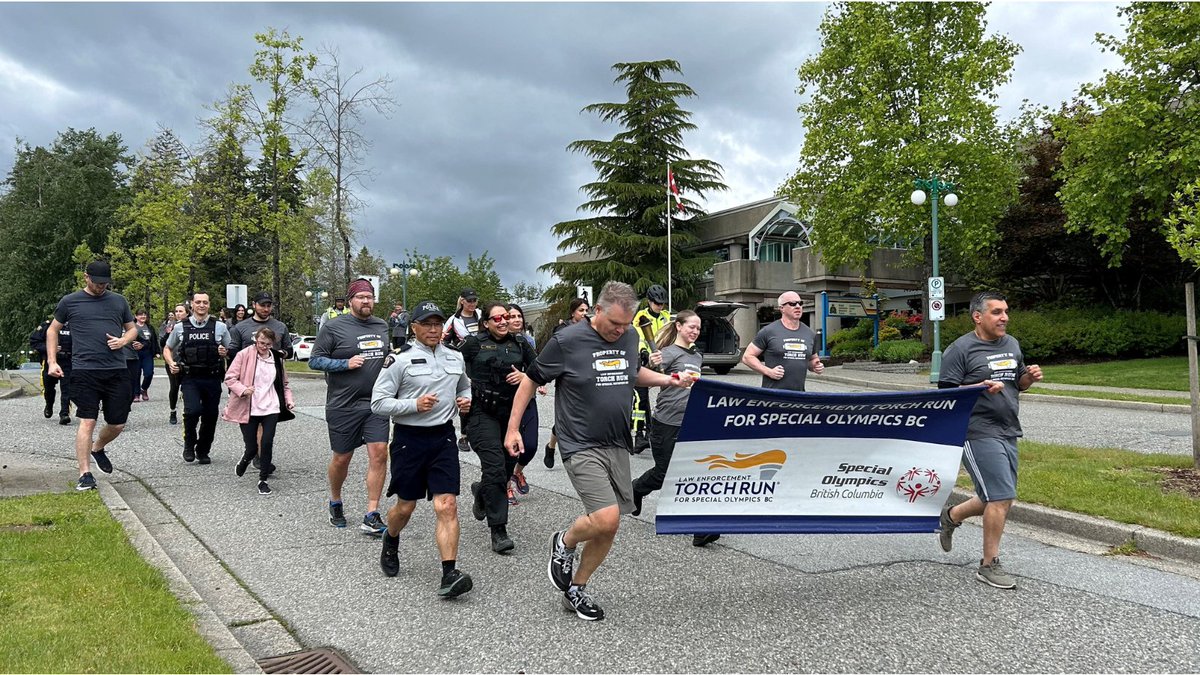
341 339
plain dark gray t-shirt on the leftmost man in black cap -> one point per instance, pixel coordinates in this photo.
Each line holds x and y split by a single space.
93 320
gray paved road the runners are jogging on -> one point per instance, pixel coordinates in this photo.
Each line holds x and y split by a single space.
752 604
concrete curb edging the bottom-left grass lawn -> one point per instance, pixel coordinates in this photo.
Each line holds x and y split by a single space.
208 624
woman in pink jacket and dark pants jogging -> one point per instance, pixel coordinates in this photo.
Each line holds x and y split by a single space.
260 398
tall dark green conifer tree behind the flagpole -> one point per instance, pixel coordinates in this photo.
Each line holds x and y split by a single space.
627 237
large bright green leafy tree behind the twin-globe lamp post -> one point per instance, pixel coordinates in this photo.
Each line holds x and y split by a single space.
903 91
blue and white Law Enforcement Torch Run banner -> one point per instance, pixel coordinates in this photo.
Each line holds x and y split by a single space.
765 461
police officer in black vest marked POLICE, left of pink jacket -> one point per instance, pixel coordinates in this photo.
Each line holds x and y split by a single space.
197 349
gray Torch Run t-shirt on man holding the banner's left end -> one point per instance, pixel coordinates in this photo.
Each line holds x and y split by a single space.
593 387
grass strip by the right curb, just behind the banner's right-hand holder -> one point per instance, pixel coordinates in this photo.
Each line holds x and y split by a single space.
1117 485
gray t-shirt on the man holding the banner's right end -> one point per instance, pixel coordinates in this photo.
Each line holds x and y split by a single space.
971 361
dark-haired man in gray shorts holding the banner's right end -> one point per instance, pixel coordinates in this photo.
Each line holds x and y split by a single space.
991 357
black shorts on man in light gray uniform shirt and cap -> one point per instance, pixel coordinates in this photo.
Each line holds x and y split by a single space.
424 462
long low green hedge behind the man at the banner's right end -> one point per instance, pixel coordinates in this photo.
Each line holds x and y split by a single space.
1061 336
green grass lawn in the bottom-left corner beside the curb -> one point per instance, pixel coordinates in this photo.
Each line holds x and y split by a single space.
76 598
